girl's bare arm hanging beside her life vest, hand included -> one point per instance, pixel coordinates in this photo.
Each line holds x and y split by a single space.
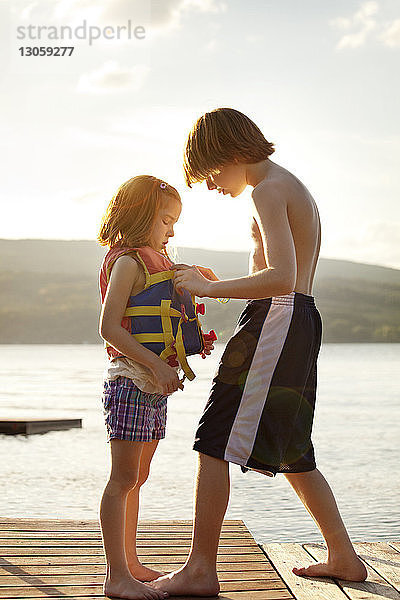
124 274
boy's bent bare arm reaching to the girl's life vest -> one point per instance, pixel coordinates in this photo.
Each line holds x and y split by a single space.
278 278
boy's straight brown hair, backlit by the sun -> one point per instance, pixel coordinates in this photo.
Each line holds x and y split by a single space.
218 138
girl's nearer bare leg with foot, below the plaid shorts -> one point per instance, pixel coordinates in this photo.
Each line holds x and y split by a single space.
125 456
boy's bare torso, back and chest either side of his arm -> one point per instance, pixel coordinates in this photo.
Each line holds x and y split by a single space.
304 224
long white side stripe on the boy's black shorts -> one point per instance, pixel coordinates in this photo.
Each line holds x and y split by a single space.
269 348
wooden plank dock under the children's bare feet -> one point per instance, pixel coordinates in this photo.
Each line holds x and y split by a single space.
64 558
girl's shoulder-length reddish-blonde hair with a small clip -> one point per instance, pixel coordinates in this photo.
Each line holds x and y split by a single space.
130 215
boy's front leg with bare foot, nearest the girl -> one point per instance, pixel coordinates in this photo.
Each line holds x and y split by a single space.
198 577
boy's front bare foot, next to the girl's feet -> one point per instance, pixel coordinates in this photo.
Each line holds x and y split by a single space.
188 581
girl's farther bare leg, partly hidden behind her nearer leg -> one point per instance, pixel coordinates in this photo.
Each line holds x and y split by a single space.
132 511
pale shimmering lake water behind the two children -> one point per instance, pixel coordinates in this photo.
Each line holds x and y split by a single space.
62 474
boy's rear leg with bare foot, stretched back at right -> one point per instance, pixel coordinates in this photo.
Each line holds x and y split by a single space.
316 495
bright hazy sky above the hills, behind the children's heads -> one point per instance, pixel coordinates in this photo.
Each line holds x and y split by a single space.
318 77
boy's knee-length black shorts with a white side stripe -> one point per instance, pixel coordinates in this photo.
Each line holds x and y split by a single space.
261 406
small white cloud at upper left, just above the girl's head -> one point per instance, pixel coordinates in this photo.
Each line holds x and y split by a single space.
112 77
